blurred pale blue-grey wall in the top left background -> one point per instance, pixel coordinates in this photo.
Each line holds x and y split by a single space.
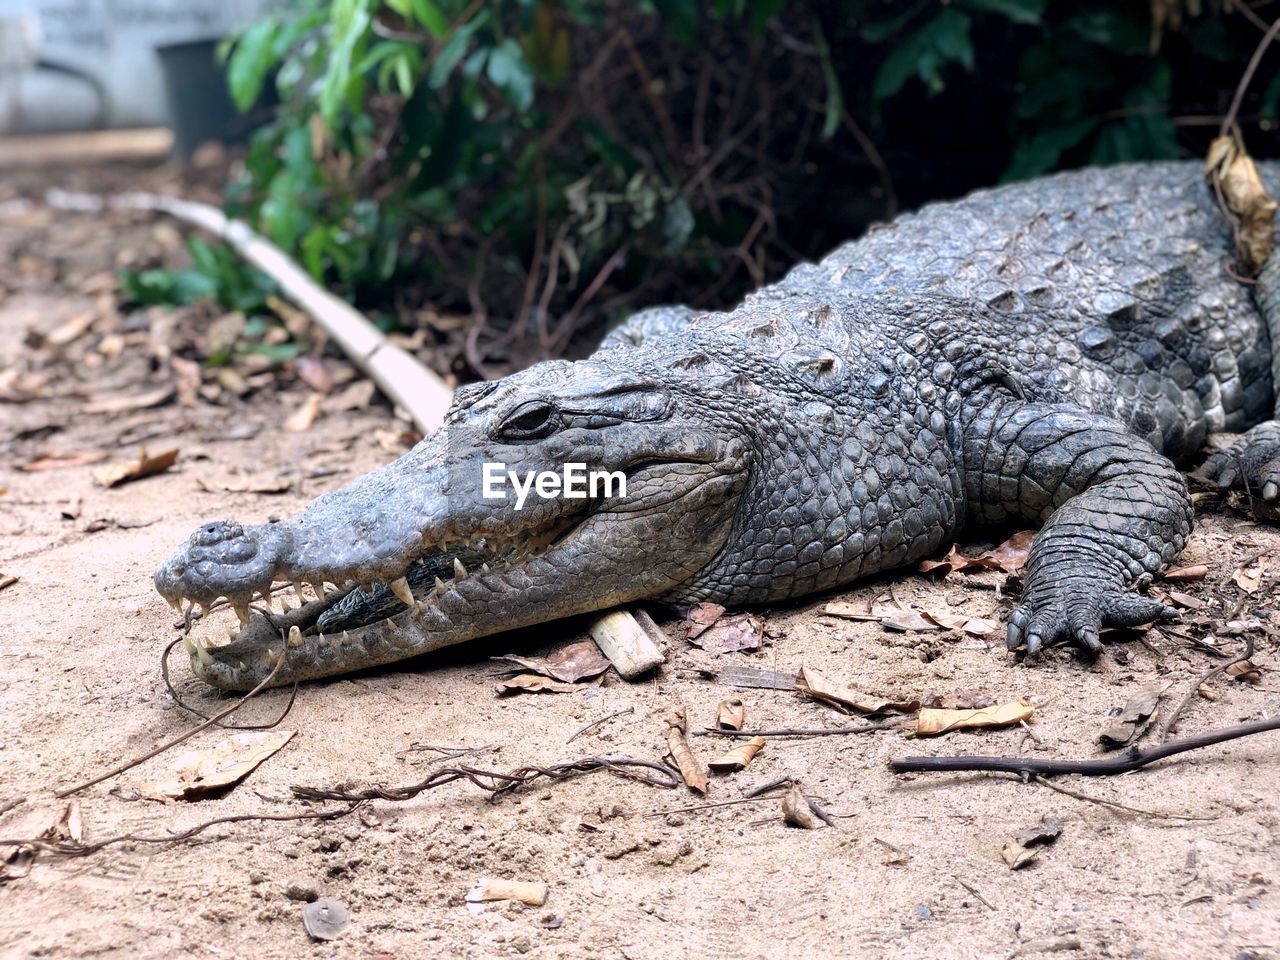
112 45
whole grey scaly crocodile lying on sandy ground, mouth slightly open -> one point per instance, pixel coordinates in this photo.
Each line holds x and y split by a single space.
1048 353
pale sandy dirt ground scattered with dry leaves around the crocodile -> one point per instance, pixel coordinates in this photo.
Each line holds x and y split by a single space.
913 868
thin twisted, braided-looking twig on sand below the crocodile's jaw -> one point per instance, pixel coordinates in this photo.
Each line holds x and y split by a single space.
497 783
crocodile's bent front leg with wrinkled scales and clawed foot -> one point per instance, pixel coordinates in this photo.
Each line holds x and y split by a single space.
1116 514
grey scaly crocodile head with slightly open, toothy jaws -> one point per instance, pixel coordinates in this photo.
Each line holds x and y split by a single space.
440 547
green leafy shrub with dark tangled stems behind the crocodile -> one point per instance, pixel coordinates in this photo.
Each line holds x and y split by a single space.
545 166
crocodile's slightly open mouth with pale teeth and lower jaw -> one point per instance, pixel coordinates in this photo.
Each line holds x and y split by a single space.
431 598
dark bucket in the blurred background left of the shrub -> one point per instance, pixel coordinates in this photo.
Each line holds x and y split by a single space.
200 106
